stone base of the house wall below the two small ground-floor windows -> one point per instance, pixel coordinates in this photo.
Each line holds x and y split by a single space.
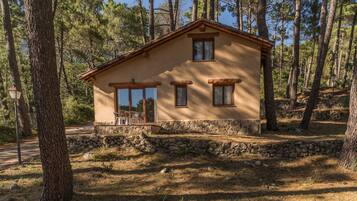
229 127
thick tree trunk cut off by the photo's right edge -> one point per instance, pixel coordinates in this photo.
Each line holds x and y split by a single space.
348 156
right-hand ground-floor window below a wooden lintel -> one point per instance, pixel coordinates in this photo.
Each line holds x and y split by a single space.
223 95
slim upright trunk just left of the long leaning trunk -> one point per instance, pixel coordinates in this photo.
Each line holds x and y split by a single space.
295 67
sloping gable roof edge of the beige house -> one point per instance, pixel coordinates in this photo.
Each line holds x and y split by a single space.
265 44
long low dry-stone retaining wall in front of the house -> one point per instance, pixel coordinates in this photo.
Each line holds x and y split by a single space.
181 145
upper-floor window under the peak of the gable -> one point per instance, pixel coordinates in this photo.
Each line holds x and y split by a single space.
203 49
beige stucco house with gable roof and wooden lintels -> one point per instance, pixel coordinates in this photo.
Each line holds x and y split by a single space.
204 77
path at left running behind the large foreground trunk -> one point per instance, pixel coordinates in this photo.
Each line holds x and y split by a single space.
29 147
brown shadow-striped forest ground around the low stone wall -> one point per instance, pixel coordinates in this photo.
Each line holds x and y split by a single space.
127 174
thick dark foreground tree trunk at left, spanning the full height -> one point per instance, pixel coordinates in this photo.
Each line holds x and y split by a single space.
56 167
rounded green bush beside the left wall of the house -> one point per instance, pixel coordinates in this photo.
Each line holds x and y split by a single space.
76 113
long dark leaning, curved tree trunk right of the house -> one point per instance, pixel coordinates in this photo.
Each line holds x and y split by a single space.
324 40
